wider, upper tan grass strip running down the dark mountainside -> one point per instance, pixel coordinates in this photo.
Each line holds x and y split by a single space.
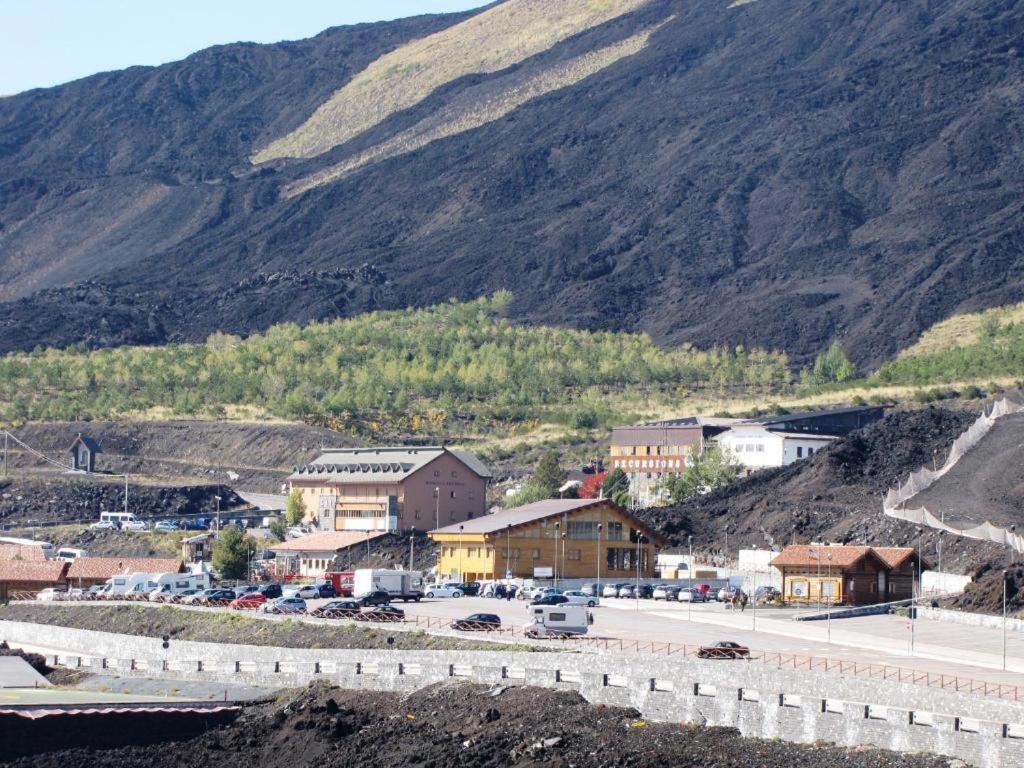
491 41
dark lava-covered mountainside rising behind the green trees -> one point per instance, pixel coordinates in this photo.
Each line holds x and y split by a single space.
776 175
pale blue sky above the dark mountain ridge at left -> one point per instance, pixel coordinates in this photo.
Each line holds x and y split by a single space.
47 42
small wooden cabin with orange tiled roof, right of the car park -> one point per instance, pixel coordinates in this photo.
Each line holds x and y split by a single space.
850 576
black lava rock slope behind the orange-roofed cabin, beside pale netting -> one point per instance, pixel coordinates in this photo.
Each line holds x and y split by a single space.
835 496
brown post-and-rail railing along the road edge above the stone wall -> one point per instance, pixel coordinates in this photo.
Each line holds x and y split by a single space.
587 643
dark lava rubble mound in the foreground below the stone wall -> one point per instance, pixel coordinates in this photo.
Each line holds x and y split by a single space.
468 727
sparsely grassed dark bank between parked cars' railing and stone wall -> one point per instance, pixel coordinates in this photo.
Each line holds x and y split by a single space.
233 628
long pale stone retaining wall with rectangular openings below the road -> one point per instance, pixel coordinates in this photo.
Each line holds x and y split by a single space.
793 705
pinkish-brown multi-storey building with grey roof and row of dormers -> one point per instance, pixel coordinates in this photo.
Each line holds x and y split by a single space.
392 489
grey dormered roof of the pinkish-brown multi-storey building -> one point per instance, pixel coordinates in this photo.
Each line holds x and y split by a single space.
379 464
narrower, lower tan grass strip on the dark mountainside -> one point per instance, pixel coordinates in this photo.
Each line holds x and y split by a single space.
482 106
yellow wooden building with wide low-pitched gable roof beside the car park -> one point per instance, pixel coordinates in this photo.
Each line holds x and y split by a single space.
553 539
